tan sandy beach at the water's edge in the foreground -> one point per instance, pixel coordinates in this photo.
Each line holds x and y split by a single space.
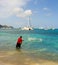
19 58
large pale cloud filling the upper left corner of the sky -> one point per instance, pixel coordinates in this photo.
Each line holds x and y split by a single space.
11 7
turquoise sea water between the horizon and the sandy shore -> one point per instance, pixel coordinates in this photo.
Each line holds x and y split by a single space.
39 43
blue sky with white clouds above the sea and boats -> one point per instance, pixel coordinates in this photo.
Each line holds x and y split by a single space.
42 13
